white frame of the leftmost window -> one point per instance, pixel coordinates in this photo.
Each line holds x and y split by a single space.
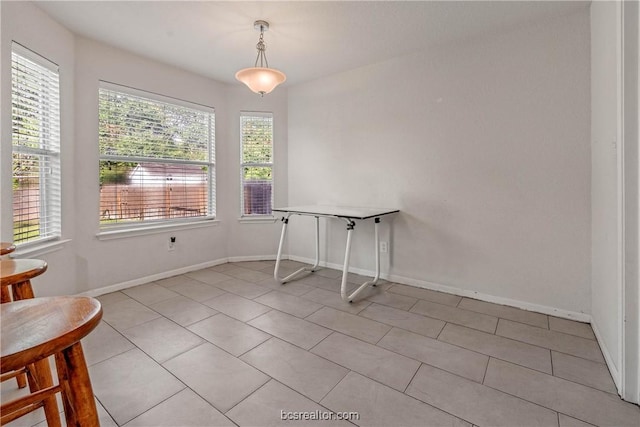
49 184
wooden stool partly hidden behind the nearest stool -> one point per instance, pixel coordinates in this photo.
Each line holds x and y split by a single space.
15 278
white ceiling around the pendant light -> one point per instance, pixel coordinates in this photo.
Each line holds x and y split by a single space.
307 39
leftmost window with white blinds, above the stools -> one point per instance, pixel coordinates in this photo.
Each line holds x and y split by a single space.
35 135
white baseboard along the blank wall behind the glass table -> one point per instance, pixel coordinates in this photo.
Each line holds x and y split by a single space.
566 314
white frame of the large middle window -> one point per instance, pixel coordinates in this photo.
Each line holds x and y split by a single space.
107 231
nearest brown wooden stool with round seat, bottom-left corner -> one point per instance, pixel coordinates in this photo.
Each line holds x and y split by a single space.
34 329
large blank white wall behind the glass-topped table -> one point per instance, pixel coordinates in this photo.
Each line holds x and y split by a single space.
482 144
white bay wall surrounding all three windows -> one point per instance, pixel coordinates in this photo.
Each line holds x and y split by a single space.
87 263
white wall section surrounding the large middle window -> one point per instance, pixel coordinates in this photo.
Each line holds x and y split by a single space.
100 262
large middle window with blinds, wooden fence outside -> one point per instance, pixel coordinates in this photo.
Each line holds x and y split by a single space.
157 158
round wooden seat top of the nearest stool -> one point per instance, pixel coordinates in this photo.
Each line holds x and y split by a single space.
40 327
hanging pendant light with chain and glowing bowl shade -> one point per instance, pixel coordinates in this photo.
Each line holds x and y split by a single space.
261 79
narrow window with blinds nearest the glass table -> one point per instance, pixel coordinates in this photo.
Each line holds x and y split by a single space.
256 134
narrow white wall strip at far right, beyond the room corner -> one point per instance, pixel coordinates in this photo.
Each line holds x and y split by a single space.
605 285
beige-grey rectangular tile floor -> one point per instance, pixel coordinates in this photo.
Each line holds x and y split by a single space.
229 346
